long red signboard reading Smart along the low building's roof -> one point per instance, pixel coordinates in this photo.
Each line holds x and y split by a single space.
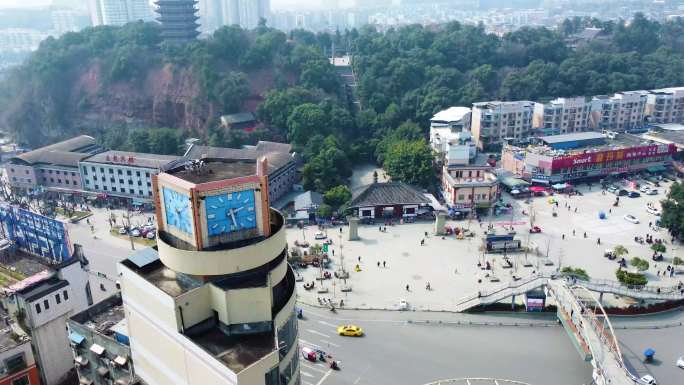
613 155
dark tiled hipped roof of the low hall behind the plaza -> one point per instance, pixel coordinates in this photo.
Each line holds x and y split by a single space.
387 194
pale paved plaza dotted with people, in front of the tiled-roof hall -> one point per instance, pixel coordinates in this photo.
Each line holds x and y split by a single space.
450 265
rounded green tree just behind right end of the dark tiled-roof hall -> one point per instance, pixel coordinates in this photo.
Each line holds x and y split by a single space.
410 162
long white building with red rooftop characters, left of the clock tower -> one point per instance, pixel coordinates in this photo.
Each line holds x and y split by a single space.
123 174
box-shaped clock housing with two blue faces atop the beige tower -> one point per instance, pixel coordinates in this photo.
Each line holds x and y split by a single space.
205 203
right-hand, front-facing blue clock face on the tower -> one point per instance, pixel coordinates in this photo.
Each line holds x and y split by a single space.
227 213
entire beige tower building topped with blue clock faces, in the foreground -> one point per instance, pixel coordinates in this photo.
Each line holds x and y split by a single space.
214 304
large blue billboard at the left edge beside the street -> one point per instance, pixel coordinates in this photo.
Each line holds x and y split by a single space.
36 234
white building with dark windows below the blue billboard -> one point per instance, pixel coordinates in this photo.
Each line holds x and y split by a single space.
44 302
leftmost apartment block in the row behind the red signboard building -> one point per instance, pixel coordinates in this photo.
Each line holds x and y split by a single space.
493 122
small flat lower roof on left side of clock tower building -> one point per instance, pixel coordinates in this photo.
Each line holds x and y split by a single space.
147 264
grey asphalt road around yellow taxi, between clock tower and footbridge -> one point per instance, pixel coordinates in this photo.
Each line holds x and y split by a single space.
397 352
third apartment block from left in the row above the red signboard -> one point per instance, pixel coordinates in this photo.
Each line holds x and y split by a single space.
620 112
